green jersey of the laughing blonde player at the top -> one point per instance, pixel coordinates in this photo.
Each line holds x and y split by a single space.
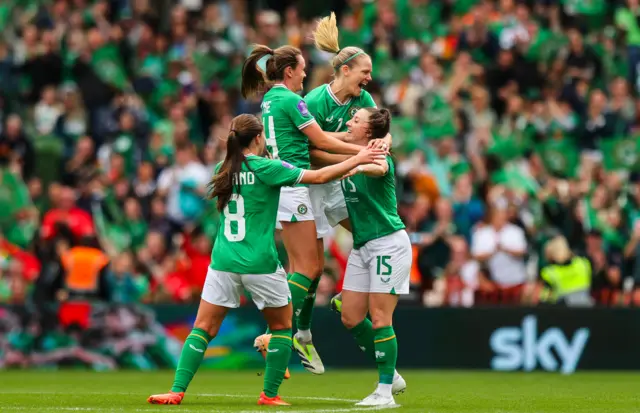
331 114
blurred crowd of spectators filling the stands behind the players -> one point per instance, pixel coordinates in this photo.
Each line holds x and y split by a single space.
516 135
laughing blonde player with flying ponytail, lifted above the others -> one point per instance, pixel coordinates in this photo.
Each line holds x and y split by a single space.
332 106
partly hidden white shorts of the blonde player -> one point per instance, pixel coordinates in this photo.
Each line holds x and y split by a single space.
329 206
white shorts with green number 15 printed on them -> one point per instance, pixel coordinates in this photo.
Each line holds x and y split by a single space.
382 265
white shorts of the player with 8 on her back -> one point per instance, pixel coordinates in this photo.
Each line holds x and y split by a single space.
267 290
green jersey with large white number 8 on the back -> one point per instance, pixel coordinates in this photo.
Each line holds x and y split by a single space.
245 240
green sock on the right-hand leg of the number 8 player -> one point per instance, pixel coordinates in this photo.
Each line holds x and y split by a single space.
278 355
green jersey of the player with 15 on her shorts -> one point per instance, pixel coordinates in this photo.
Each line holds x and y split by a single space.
372 206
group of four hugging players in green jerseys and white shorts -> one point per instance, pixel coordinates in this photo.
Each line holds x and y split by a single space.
328 164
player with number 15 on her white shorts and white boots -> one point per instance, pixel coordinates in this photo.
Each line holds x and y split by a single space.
380 262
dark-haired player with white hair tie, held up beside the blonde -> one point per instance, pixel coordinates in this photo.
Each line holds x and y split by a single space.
290 128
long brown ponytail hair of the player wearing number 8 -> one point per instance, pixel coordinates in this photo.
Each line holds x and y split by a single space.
244 129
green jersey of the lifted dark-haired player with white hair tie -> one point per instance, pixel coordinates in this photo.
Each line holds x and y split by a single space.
284 115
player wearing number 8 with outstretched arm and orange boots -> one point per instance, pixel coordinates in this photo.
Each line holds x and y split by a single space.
247 192
